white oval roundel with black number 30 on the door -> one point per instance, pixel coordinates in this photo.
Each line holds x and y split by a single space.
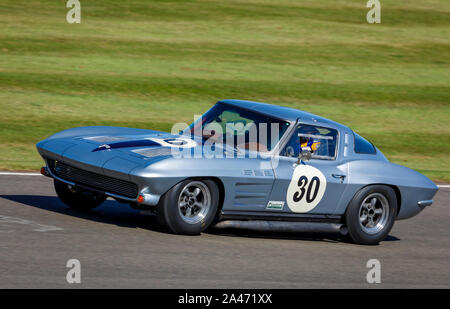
306 188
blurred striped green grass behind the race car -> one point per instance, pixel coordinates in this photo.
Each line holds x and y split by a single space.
149 64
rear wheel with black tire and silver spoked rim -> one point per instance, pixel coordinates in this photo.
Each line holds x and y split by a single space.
371 214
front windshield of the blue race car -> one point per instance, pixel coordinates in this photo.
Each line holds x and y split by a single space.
238 127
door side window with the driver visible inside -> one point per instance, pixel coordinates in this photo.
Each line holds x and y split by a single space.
322 142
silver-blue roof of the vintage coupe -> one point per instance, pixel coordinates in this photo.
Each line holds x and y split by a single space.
286 113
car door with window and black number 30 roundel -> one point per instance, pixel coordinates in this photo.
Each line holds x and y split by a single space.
314 186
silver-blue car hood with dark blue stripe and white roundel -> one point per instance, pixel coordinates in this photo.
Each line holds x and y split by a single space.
112 150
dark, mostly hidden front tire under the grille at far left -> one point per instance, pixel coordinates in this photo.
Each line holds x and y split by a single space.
81 200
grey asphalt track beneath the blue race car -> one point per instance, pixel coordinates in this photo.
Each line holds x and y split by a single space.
120 248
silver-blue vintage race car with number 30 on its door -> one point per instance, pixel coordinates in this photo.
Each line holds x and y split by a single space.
242 164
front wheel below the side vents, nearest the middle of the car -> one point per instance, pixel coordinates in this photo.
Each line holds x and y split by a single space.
189 207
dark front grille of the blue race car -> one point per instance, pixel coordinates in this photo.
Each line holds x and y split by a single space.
93 180
